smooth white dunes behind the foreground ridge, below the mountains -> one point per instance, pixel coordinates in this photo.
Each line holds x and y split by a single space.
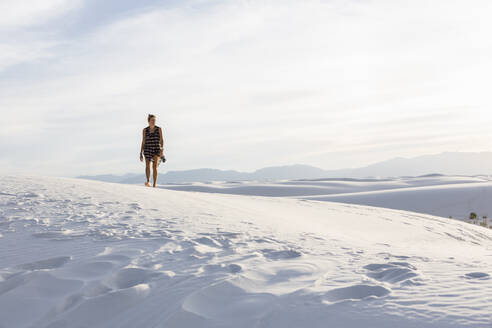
445 196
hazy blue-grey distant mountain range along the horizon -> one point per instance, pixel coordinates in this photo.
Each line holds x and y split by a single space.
457 163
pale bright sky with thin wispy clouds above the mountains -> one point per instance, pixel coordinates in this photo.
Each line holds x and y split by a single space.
241 84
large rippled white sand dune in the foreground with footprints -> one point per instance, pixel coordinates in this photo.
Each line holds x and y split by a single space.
77 253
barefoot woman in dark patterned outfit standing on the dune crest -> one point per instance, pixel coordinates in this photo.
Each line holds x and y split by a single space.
152 148
